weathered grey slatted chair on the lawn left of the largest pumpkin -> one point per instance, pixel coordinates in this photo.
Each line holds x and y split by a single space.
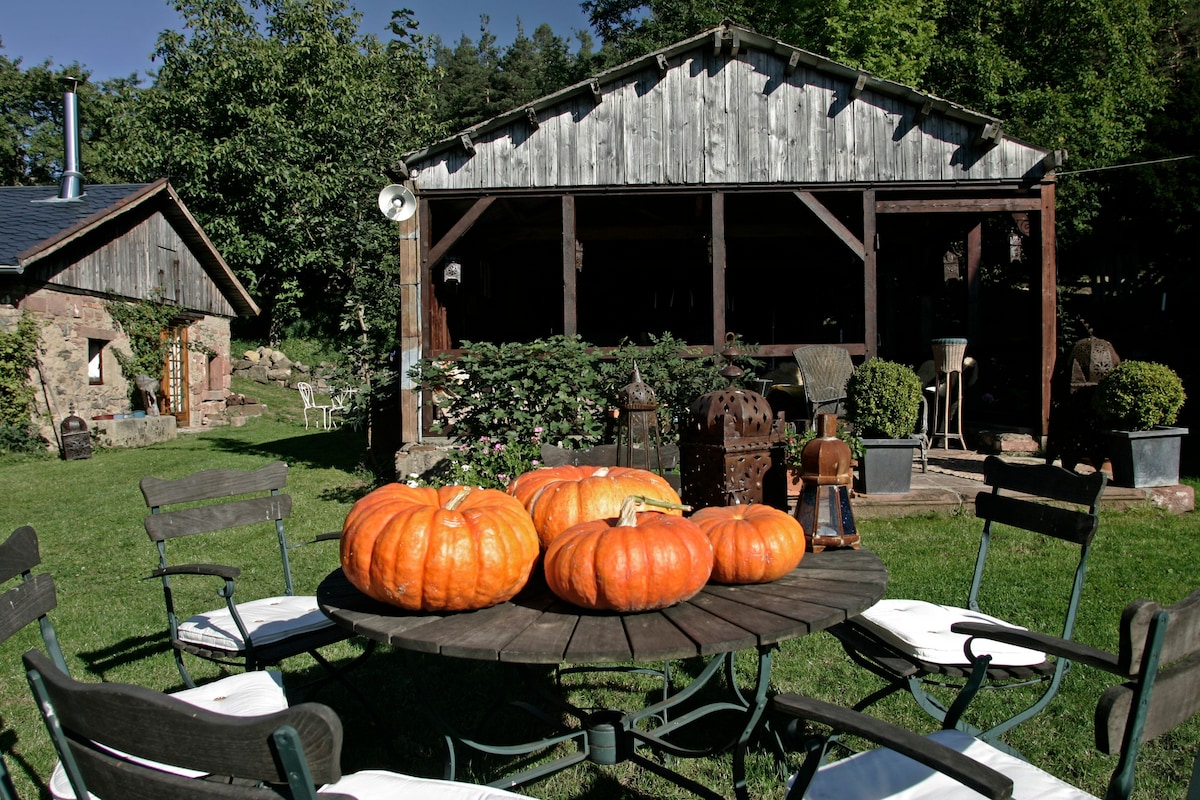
255 633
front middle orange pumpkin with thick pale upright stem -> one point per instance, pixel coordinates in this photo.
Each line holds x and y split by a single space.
638 562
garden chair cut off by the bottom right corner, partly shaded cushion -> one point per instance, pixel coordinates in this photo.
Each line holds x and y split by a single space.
1159 660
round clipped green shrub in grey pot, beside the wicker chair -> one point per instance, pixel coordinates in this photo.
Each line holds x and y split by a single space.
884 399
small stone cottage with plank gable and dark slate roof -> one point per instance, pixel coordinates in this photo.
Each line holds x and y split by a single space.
65 256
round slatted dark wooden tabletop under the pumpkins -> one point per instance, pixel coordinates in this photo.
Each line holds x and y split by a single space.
538 629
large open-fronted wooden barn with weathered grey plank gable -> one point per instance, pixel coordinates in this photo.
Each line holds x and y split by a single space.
733 183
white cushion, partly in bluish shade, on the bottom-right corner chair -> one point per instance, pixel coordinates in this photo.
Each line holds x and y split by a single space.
887 775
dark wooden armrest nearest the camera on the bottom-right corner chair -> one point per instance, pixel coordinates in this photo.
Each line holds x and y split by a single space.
955 765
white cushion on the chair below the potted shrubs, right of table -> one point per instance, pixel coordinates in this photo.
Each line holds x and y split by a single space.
923 630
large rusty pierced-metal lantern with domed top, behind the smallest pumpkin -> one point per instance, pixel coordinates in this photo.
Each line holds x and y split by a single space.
727 447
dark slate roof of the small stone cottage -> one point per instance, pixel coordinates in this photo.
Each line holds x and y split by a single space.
35 224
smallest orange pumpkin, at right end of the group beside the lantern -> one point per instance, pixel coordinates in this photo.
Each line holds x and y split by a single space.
752 544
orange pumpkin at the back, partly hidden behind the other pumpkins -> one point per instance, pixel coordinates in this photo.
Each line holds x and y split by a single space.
561 497
